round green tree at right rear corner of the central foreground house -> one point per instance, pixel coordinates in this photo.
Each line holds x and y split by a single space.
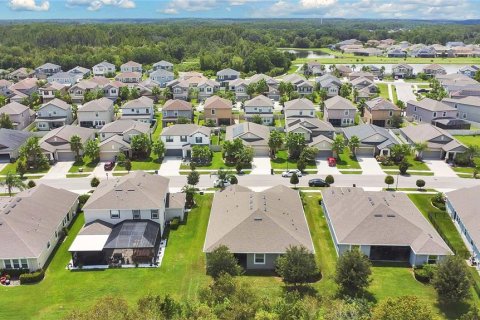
297 266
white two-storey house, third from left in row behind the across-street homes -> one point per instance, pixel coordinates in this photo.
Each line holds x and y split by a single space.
96 113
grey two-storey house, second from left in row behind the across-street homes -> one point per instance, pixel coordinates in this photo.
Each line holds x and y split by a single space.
54 114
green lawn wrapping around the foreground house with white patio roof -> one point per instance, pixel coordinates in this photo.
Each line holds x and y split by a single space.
182 274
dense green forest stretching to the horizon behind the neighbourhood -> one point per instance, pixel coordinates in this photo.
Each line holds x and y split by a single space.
249 46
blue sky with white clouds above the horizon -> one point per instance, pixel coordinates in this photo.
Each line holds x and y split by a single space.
239 9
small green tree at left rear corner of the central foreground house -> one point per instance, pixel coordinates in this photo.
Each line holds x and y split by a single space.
222 261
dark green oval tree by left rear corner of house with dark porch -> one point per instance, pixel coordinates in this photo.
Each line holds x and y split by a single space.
353 272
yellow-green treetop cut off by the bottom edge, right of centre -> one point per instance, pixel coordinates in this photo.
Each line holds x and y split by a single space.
402 308
